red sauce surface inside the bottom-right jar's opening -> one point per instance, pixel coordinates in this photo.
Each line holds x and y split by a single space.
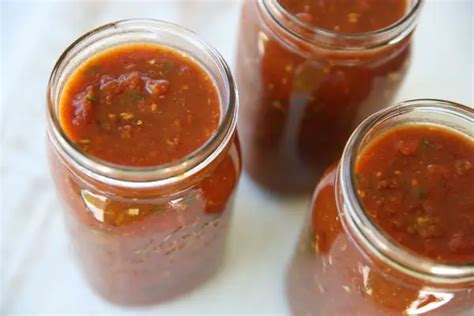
417 184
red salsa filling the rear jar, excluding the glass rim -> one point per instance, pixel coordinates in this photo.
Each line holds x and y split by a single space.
300 100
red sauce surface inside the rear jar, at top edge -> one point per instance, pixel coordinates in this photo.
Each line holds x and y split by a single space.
350 16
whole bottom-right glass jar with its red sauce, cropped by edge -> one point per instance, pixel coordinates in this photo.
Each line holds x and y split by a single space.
391 226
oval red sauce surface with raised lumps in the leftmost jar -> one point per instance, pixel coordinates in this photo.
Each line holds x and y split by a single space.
139 105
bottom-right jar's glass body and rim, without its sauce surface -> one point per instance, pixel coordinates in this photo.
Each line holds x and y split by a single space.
345 265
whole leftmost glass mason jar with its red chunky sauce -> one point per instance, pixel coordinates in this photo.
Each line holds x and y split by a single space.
144 153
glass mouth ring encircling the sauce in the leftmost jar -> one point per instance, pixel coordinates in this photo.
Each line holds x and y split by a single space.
155 32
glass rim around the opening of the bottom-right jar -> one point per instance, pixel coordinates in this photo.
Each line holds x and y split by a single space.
456 118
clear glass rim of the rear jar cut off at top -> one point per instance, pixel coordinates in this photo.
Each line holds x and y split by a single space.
343 41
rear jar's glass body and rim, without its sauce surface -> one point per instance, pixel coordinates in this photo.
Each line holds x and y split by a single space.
304 89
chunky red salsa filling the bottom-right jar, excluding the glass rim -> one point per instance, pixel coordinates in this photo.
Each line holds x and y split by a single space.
416 183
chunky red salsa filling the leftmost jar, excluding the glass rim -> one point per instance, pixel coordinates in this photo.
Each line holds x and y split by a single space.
142 105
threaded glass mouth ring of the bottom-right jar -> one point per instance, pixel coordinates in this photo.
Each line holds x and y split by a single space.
365 230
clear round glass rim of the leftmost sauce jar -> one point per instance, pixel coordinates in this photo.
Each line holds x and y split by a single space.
150 176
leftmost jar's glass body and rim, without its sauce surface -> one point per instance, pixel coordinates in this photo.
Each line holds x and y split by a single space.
179 240
